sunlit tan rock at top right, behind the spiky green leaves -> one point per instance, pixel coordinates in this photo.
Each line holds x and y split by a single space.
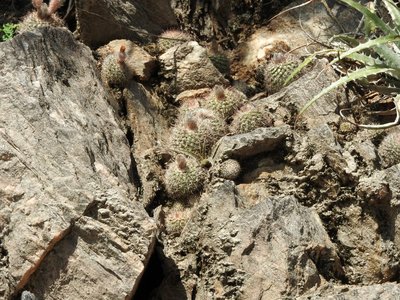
283 33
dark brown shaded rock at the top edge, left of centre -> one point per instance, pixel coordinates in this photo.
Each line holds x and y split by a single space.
99 22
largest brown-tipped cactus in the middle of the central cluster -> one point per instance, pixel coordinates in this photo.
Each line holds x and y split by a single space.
197 132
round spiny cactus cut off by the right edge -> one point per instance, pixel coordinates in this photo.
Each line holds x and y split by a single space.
389 149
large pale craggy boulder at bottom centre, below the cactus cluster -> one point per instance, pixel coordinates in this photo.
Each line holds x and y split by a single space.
235 246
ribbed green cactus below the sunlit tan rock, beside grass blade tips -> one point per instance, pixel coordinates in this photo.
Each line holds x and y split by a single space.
276 75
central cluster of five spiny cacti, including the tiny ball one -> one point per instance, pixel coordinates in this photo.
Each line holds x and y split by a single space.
198 129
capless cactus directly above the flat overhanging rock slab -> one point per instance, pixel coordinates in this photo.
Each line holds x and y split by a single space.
250 118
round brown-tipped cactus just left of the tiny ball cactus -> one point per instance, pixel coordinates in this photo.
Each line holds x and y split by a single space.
184 177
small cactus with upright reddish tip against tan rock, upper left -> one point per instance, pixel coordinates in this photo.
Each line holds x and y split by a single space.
114 71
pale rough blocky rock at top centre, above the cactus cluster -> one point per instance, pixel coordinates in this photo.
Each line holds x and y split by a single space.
188 67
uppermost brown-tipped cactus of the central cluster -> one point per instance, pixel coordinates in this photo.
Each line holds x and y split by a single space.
225 102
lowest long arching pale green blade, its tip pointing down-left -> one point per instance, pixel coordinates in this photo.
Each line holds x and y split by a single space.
364 72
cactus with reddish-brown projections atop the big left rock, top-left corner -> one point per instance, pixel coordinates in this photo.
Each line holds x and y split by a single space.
44 15
